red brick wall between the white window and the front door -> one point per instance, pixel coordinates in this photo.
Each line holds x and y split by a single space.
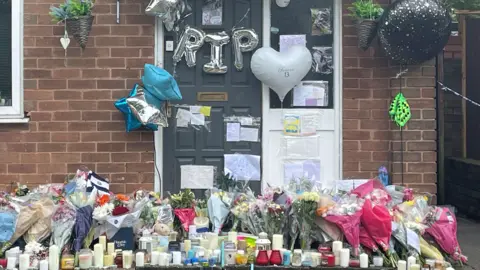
70 100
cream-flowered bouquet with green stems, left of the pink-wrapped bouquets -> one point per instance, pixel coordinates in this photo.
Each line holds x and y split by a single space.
304 208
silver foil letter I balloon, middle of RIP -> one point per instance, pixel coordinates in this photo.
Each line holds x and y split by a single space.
216 40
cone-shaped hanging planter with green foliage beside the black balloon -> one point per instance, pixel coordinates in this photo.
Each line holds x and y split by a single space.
366 14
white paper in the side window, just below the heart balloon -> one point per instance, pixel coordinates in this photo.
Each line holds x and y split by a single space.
310 94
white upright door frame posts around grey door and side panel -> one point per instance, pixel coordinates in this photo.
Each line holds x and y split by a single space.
337 93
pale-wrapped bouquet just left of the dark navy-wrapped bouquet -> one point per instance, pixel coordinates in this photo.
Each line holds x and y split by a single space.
63 220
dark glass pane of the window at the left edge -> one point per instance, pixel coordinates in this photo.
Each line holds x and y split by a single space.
5 53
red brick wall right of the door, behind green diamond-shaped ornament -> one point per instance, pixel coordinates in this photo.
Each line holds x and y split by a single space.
370 139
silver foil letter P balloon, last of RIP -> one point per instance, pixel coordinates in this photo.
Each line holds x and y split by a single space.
243 40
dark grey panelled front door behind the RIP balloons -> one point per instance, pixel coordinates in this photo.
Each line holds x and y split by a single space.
189 146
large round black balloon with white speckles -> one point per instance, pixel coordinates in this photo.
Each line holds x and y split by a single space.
414 31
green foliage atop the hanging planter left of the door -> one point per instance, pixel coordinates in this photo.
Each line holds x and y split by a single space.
71 9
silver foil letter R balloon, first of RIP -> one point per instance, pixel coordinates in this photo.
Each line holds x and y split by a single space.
189 43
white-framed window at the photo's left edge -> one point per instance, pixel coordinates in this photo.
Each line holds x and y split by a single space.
11 60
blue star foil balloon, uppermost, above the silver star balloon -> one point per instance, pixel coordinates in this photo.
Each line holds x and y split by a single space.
160 83
